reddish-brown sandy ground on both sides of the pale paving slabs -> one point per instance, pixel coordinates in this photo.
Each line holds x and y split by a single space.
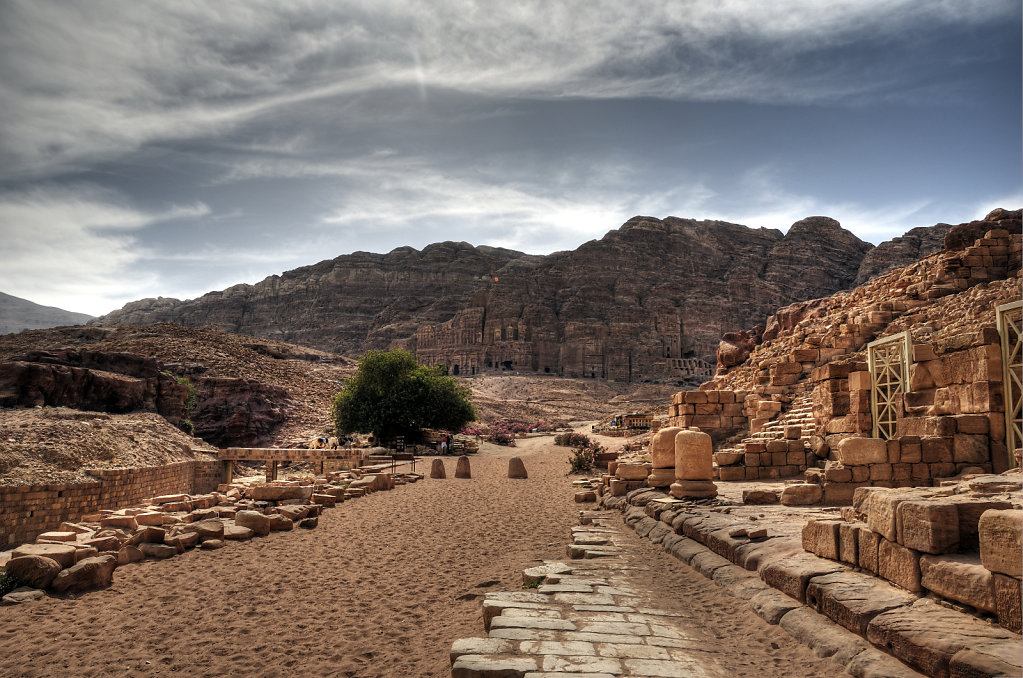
381 589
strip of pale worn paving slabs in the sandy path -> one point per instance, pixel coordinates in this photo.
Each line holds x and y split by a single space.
584 619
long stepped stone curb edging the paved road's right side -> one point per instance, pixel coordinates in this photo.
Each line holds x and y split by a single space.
862 622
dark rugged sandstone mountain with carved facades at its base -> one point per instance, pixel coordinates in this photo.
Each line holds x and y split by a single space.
649 301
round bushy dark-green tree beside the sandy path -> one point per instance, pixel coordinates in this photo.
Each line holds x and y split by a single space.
392 395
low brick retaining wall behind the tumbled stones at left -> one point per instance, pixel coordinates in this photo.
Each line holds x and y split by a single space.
31 510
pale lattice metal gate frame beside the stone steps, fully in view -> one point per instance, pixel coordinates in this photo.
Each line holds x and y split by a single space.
888 360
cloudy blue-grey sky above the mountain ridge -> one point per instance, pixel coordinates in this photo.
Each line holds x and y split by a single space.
172 149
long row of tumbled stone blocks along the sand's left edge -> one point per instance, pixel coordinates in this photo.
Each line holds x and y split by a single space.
83 556
